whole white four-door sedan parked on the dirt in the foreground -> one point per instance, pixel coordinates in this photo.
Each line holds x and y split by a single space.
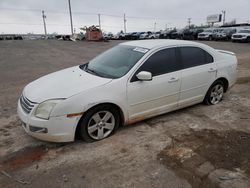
128 83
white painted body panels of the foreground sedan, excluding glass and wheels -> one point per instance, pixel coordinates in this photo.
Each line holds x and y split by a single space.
137 100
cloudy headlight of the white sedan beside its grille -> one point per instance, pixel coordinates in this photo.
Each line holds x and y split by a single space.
45 108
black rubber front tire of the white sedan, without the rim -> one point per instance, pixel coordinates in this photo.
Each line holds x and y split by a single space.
85 119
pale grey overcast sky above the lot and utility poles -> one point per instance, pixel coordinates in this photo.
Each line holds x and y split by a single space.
23 16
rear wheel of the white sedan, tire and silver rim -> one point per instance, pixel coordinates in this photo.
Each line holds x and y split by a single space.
215 93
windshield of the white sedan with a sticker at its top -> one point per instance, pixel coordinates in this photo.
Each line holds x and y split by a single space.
115 62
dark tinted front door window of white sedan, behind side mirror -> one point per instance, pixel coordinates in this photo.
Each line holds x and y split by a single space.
161 62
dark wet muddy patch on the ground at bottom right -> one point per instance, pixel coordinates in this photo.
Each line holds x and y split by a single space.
195 155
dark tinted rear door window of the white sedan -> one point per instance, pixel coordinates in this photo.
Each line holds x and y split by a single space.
194 56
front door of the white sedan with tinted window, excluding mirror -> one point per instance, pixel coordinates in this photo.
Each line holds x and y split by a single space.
161 94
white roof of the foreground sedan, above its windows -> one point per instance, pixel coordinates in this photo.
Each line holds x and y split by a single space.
157 43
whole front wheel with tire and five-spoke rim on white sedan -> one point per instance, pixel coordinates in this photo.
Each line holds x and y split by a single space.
94 127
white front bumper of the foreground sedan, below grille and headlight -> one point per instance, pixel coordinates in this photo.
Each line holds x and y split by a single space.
58 129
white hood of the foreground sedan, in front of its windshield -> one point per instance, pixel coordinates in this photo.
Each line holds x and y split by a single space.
62 84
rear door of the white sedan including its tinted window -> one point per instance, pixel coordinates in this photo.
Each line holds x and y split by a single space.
198 73
